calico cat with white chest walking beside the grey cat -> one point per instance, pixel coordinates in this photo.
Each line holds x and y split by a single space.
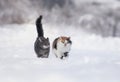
61 46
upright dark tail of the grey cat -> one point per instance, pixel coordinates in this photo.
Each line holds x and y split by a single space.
39 27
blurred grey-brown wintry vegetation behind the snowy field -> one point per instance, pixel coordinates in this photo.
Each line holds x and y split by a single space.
93 16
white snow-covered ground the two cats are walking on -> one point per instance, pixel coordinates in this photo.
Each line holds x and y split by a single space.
92 58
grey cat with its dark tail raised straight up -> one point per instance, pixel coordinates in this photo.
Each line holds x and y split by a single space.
42 44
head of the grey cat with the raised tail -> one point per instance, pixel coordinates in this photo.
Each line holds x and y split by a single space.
44 42
